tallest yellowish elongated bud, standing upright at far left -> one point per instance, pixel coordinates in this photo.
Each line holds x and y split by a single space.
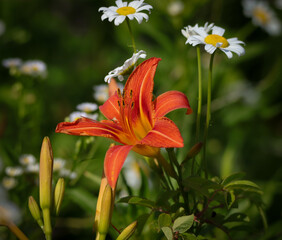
45 174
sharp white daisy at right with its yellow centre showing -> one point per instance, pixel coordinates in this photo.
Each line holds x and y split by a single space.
216 40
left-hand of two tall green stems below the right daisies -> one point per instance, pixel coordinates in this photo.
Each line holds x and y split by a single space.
198 121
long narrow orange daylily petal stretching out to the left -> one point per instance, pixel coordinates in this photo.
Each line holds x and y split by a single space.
89 127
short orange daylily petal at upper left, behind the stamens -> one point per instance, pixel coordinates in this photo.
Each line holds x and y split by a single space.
110 108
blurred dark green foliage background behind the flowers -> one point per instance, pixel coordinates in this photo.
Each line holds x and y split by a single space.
79 50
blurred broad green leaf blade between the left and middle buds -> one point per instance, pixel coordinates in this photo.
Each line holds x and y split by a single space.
82 198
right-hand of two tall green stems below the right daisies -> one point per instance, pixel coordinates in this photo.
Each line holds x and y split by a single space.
208 116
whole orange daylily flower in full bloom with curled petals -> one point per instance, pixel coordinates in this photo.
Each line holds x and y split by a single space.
134 120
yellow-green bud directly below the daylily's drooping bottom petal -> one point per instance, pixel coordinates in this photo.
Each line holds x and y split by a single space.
105 214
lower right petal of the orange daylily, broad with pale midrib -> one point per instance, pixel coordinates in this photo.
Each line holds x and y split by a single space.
164 134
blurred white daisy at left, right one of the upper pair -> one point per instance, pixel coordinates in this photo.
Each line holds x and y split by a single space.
35 68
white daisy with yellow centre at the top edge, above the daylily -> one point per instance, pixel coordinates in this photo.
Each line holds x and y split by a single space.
123 10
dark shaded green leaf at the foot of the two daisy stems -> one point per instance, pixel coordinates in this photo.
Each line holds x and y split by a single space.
201 185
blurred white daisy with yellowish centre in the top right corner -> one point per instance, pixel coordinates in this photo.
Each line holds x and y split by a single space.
262 15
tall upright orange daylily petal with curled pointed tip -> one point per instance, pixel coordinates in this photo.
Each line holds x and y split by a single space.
140 85
